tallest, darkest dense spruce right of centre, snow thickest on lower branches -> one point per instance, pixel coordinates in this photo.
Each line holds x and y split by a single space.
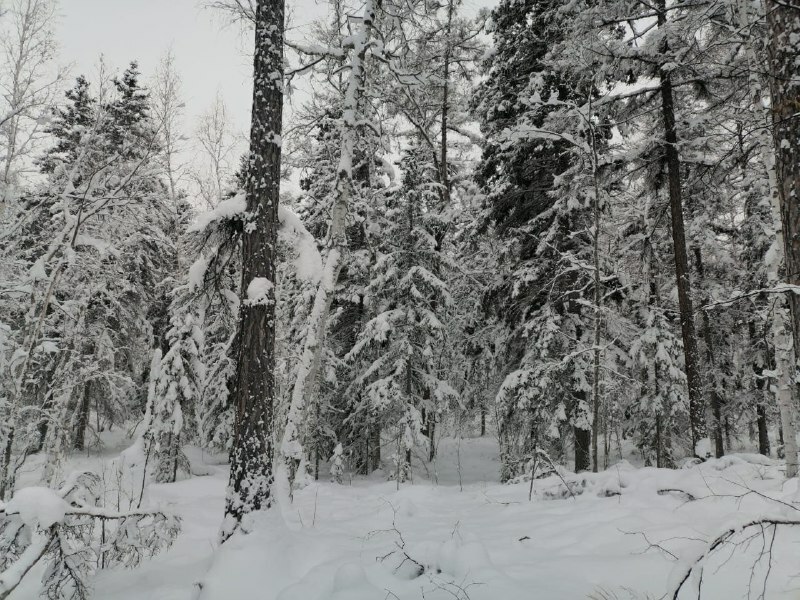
543 233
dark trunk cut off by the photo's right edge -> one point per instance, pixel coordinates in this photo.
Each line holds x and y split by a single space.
783 21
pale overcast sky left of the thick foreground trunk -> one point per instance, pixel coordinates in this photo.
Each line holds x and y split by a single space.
209 54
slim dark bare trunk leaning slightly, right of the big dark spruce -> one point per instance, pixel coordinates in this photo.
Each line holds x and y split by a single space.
689 335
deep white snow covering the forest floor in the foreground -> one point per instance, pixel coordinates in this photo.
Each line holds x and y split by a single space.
622 535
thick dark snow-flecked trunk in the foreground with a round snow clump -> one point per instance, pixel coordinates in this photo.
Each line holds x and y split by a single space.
253 392
